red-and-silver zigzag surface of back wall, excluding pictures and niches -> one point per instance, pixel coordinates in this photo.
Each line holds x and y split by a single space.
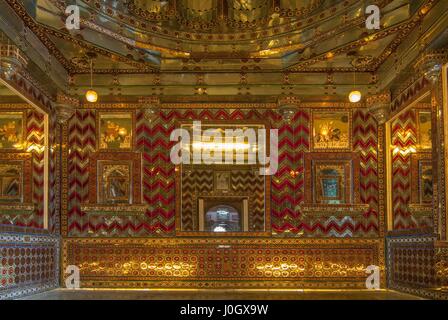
287 189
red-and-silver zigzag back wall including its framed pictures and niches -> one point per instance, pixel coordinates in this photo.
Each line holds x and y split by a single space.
340 151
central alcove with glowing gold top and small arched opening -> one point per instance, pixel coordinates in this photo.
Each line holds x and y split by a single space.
222 189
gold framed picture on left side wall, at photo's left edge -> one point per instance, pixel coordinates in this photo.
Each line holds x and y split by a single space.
11 130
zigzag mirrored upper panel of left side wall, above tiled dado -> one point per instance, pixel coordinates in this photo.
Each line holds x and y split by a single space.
22 145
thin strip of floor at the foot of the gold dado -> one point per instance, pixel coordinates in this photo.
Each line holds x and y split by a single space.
206 294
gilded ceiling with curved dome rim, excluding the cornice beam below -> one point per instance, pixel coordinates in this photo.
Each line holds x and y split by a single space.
191 35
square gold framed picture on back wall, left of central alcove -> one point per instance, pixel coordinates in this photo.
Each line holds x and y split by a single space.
115 131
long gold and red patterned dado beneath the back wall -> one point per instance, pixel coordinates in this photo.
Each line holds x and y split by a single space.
230 263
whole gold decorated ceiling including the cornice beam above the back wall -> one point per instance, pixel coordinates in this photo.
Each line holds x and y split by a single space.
223 47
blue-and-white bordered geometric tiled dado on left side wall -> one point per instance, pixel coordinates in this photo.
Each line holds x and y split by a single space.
28 264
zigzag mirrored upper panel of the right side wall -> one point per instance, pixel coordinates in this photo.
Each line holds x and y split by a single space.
412 181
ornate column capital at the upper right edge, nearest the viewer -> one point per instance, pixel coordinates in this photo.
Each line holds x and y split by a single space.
430 64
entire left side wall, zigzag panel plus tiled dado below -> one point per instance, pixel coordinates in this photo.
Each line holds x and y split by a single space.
29 251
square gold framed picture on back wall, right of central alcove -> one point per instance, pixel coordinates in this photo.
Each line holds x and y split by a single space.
331 130
